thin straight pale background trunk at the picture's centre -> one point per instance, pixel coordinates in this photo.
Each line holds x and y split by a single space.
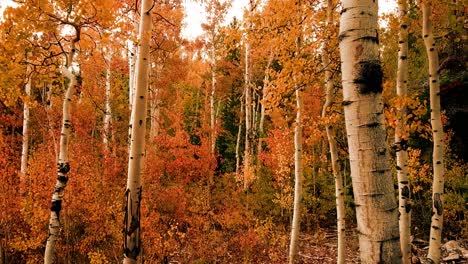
248 122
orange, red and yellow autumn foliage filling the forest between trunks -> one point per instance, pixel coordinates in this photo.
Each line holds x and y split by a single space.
195 207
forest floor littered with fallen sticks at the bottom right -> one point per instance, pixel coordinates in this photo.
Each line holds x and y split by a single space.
323 249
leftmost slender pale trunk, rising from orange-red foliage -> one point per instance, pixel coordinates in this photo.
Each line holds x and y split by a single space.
24 151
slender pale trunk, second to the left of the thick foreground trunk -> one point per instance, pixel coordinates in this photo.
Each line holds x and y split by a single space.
298 178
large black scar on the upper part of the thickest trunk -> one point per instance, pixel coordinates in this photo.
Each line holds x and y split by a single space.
369 77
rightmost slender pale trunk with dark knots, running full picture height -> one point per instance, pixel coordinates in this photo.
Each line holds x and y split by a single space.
437 137
